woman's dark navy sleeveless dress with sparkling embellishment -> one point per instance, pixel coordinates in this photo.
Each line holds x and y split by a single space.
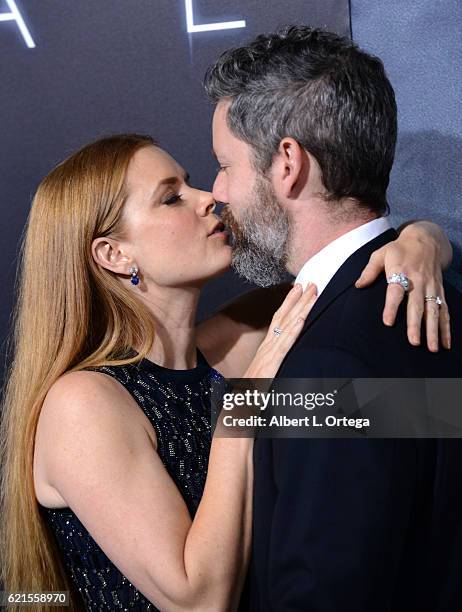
177 403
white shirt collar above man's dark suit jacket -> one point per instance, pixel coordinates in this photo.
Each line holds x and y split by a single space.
323 265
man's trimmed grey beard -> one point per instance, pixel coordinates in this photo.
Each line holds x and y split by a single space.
261 237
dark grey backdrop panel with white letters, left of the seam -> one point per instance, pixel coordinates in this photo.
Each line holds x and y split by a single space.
105 66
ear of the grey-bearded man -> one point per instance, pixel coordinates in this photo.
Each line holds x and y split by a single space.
291 168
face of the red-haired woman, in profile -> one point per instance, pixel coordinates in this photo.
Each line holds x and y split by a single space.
170 230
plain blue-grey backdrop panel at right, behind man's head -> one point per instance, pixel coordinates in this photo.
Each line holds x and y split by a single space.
420 43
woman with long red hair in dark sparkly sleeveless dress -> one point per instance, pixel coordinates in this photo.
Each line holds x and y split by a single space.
118 247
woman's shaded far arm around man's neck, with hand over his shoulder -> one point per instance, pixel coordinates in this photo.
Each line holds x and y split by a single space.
230 338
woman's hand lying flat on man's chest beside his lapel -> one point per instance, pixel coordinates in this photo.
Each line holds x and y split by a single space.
285 327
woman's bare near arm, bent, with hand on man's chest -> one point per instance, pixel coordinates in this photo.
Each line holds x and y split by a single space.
100 457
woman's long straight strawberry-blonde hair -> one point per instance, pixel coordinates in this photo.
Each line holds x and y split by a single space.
70 314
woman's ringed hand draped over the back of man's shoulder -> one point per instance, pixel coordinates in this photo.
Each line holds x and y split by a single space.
421 252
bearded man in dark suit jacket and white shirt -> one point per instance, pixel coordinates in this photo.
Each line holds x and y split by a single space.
304 131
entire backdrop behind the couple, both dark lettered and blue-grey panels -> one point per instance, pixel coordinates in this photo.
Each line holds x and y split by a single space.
104 66
